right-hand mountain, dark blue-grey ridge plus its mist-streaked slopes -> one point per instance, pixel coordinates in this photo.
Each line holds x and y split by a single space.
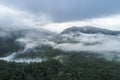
76 34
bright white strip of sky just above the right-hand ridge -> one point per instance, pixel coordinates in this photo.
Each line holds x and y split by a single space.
109 22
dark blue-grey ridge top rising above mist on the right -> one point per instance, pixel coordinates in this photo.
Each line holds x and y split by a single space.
90 30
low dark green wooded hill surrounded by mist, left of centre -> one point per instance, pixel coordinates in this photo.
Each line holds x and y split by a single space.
41 52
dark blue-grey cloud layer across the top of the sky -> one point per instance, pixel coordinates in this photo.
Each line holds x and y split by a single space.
66 10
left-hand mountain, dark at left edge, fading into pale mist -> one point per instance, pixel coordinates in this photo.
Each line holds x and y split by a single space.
16 40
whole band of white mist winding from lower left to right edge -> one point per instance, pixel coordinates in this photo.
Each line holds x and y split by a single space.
96 43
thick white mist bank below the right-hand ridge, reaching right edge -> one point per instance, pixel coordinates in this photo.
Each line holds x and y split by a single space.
93 42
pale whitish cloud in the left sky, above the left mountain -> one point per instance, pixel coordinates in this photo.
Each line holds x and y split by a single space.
10 17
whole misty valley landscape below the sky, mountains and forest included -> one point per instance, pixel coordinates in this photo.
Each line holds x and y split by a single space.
77 53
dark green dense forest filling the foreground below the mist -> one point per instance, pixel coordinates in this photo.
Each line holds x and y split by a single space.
70 67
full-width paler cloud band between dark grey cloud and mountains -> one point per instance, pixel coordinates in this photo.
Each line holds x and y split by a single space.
10 17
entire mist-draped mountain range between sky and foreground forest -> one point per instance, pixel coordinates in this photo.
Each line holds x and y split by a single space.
34 43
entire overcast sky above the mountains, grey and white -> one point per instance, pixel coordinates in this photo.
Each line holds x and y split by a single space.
57 15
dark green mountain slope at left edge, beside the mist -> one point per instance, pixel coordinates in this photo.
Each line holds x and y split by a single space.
8 46
